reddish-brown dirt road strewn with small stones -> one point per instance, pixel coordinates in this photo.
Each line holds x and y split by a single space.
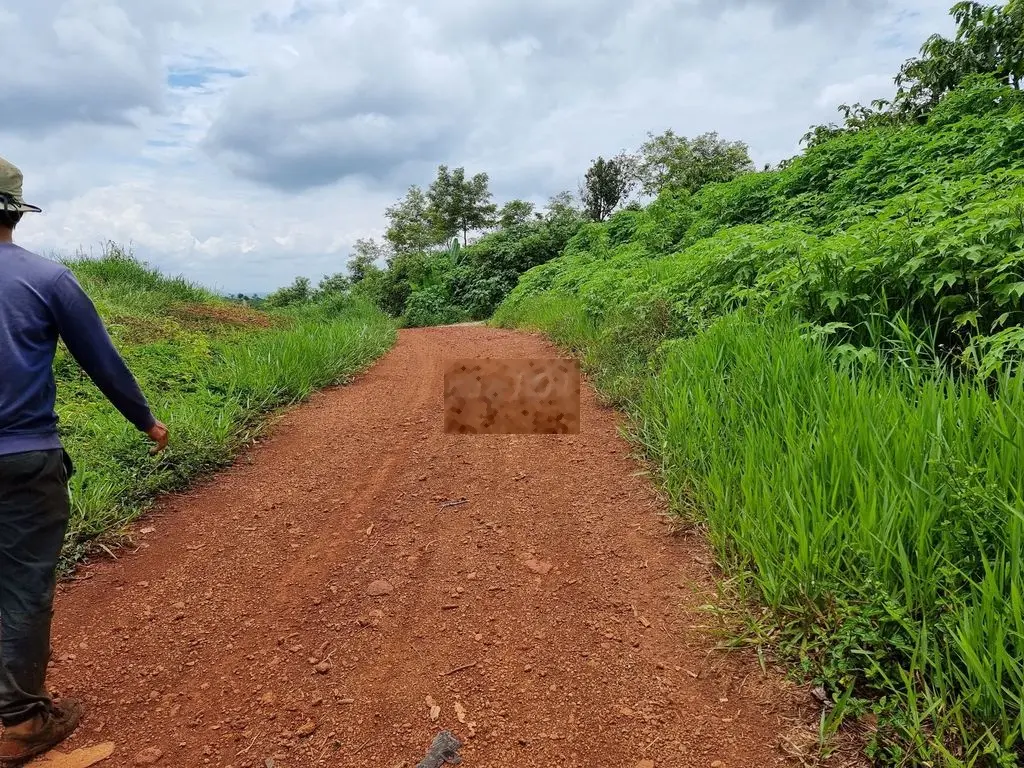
300 609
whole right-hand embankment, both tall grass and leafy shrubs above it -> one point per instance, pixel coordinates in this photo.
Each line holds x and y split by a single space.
824 361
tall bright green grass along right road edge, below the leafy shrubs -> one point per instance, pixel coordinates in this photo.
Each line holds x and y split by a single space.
877 509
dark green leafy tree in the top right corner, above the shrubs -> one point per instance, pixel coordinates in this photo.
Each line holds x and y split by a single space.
990 39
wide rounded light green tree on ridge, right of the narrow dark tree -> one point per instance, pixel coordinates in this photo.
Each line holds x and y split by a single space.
669 160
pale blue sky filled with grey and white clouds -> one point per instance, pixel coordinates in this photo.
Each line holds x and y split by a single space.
245 143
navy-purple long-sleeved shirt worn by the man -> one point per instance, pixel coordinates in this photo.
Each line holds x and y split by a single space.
40 301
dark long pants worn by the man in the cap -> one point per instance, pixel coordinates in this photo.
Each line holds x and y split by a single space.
34 511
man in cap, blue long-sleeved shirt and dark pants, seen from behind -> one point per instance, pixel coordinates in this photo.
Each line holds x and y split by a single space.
40 301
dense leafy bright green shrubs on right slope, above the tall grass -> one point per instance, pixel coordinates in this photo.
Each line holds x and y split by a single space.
876 225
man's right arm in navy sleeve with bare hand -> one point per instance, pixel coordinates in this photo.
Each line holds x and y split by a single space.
89 343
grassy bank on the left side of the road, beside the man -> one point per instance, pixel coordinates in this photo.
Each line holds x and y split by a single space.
212 372
